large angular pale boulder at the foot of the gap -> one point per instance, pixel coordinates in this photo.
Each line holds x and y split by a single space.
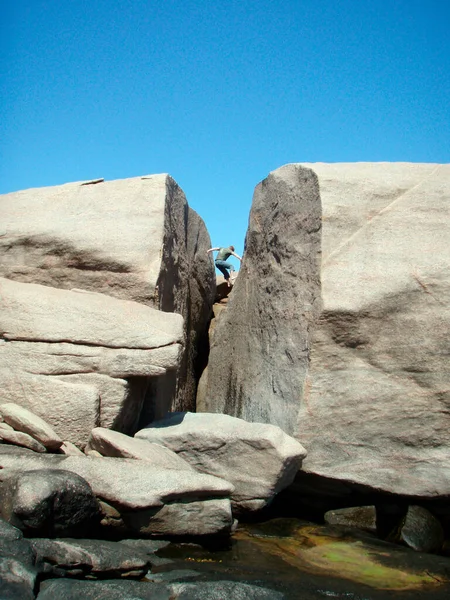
258 459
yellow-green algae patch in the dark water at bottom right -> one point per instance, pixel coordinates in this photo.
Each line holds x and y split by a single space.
333 553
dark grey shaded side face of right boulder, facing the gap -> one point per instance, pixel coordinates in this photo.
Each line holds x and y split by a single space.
260 350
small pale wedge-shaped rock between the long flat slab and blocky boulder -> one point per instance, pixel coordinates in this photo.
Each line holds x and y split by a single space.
113 443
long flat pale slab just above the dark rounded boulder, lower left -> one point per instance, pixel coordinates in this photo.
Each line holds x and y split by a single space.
134 486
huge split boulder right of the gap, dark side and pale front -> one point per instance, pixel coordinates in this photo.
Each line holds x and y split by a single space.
372 407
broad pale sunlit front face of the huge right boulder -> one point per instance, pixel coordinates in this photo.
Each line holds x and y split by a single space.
376 405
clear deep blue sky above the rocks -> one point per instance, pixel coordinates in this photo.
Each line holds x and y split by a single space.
218 93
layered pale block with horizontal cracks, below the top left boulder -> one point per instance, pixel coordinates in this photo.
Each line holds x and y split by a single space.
81 360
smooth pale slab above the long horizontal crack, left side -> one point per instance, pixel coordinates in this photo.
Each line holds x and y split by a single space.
45 314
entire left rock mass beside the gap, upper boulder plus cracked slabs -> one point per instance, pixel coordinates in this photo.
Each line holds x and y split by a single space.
141 249
